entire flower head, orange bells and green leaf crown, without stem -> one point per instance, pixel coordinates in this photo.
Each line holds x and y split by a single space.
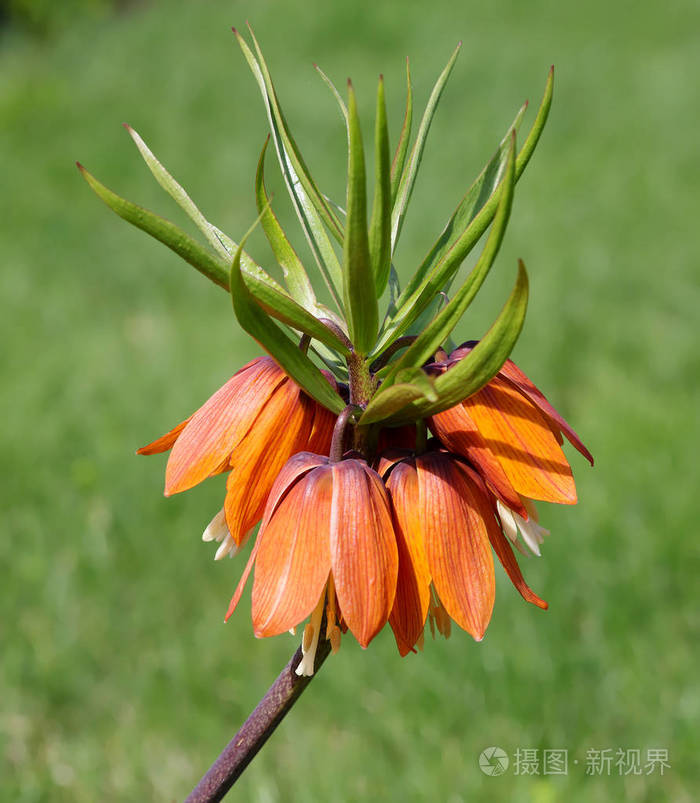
383 472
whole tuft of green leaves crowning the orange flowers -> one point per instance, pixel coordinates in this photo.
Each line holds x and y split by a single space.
352 248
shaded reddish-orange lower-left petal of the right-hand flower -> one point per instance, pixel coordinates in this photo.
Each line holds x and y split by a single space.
459 433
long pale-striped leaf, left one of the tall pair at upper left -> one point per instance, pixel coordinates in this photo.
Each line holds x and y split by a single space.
311 222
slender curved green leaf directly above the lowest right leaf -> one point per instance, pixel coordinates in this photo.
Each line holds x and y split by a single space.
435 334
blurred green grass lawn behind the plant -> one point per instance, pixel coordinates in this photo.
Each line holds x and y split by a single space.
118 679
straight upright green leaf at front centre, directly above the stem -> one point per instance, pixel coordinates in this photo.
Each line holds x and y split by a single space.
358 281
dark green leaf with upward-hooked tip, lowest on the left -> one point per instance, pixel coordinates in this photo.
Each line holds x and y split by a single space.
287 354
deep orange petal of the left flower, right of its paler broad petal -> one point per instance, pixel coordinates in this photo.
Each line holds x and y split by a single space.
281 429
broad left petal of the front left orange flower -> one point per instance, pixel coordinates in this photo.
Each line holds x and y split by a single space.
294 558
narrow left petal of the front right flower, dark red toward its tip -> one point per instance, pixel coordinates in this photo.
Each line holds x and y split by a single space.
410 609
